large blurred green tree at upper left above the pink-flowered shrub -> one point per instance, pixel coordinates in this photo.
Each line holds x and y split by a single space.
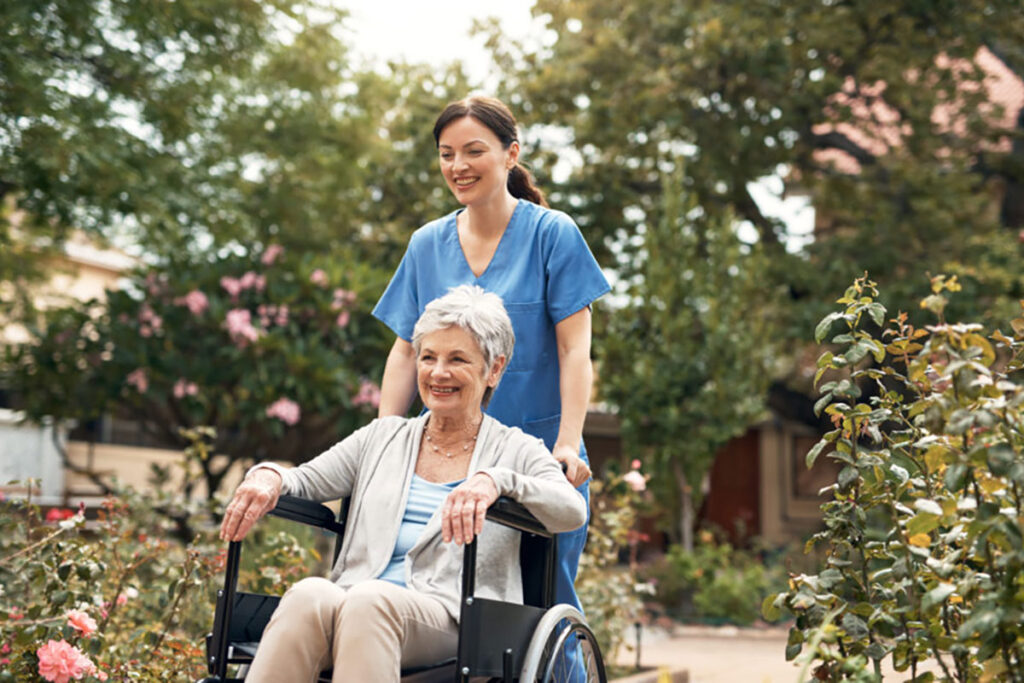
188 126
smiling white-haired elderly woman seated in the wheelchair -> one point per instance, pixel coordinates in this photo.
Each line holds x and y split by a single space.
419 489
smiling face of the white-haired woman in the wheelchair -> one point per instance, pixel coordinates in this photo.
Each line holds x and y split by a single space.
452 375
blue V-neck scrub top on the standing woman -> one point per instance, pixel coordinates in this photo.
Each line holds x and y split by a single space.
543 271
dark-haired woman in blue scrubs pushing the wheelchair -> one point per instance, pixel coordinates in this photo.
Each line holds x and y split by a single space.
507 241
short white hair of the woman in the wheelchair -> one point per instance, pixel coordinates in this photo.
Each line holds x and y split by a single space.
480 313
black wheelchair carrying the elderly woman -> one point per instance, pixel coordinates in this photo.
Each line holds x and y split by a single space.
534 643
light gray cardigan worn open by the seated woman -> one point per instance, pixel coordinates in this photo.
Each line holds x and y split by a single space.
375 467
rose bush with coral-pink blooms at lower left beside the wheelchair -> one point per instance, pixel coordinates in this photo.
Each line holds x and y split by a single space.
116 599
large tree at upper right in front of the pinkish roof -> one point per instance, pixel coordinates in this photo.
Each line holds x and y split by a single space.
744 90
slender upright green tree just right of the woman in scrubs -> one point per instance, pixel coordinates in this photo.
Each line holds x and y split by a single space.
685 360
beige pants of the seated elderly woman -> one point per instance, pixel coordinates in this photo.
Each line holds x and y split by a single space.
367 633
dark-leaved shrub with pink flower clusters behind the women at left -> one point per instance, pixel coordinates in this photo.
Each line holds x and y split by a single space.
276 351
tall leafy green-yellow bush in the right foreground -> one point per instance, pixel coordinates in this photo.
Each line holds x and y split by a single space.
924 534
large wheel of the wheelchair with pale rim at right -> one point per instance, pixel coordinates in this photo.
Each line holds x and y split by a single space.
563 650
